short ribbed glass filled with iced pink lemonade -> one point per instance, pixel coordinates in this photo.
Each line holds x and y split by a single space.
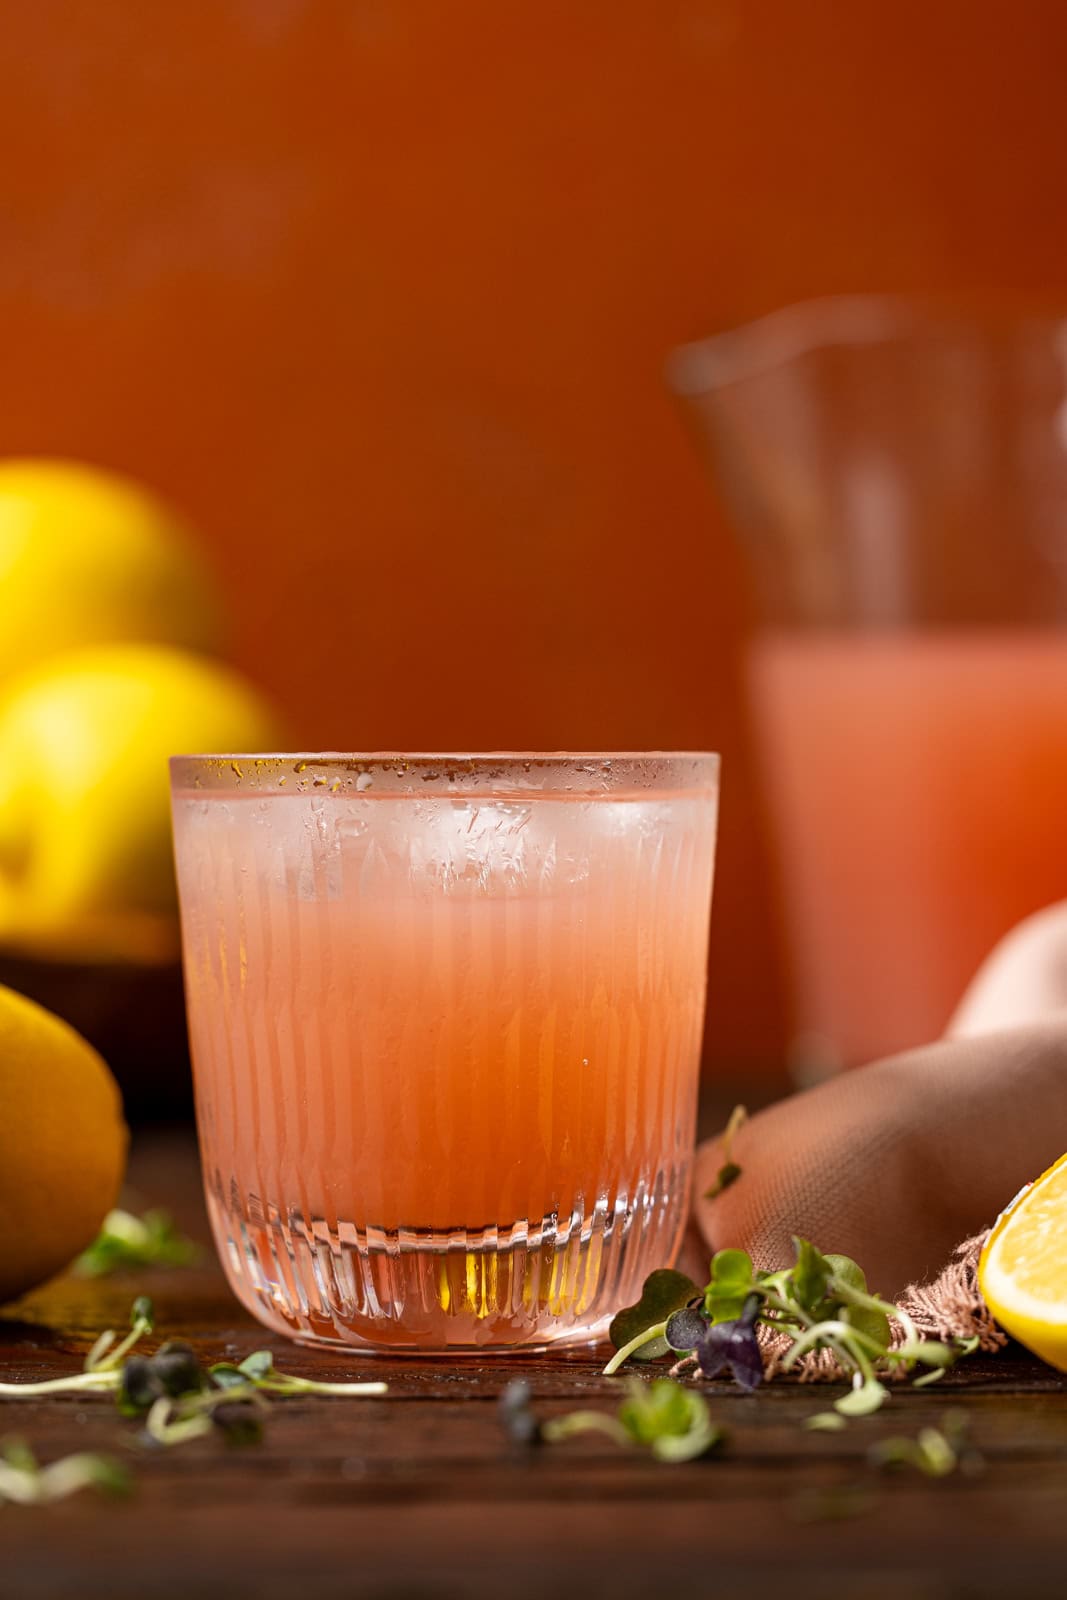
446 1018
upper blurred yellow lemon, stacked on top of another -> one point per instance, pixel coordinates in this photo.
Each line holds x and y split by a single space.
89 558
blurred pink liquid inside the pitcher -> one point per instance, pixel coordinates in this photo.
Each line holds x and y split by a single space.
919 794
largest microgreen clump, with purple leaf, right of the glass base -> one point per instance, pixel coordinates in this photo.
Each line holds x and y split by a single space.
820 1305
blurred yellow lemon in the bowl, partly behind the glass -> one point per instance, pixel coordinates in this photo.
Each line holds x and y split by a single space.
86 836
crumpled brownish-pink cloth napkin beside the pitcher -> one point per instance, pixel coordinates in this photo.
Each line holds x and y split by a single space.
898 1162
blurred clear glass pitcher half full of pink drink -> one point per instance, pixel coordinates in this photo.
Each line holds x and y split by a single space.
898 478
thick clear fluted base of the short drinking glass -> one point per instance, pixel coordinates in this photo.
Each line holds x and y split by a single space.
420 1292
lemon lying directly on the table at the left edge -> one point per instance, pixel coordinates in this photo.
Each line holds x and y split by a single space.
63 1145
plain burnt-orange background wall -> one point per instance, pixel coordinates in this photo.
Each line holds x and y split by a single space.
382 294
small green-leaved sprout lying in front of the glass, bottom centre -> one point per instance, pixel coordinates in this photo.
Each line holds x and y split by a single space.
668 1420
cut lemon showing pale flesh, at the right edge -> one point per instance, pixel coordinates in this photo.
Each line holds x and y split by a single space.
1023 1273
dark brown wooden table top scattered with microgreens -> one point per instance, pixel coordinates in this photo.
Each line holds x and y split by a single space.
422 1495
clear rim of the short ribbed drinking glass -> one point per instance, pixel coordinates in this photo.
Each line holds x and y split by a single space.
454 772
